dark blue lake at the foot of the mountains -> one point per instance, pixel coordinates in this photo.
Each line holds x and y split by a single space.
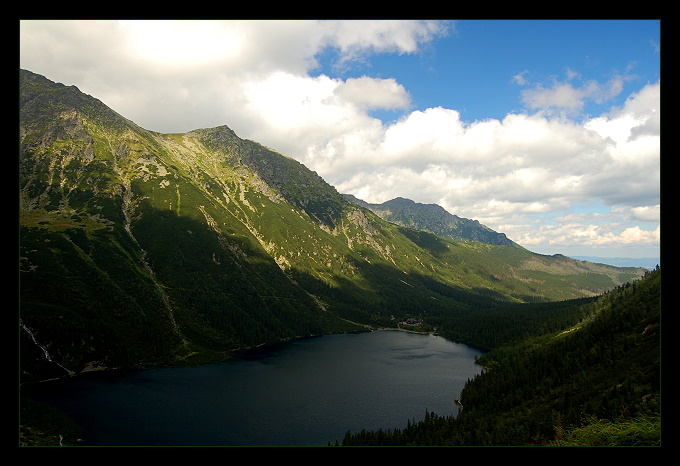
305 392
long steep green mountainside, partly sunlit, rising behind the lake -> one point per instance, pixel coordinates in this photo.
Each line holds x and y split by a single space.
140 247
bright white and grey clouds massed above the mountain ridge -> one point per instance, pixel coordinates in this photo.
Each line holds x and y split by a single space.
549 178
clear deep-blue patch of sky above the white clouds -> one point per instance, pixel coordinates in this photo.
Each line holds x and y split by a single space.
472 68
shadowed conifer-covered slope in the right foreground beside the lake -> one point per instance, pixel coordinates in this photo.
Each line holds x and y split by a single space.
595 383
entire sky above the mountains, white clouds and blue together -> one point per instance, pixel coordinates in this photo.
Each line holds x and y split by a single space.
548 131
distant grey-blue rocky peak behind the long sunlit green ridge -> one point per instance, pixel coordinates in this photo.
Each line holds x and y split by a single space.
435 219
